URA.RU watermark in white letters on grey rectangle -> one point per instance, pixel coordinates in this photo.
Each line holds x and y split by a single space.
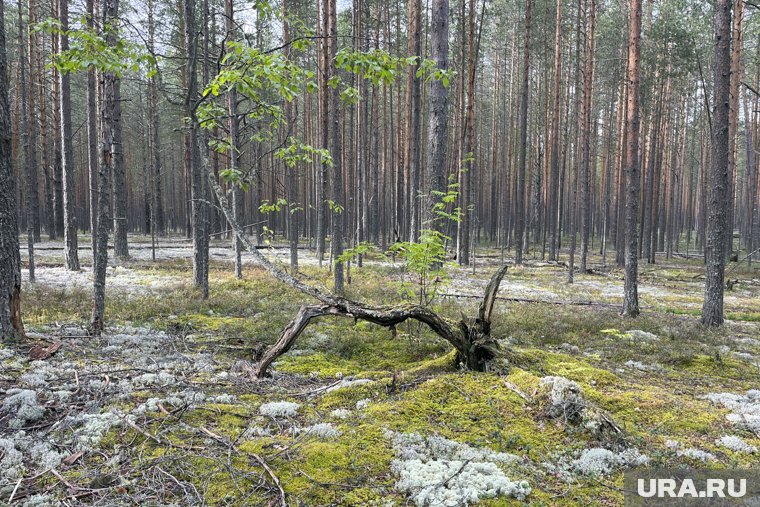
690 487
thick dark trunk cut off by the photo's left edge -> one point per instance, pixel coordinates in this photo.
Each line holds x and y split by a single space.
11 325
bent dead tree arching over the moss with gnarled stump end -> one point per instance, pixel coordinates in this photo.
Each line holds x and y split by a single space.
471 337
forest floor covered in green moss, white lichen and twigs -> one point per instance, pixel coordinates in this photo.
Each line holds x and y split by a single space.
161 409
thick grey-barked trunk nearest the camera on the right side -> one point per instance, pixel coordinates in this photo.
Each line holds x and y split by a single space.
717 220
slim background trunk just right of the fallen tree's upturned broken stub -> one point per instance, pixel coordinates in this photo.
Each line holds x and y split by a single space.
524 99
